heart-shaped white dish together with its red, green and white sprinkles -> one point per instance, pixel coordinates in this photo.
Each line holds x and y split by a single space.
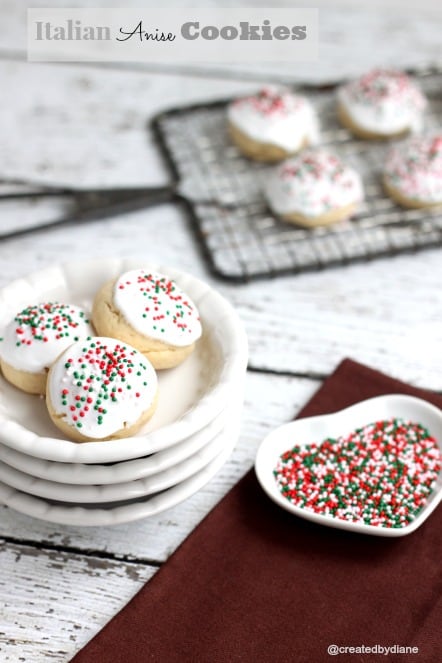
374 467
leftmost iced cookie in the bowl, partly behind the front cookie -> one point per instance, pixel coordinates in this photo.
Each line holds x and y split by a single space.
33 340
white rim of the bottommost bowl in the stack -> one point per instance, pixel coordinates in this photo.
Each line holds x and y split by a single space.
143 508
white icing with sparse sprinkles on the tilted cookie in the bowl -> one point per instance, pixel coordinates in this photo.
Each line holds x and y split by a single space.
157 308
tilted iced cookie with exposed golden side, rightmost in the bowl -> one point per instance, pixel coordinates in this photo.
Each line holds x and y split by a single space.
149 311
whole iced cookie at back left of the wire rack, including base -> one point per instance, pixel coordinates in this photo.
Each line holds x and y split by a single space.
273 124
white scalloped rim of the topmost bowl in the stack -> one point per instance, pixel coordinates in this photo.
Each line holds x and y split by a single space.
234 350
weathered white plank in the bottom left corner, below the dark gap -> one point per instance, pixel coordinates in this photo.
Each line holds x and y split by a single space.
52 603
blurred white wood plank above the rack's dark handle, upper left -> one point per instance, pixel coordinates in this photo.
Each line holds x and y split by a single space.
85 126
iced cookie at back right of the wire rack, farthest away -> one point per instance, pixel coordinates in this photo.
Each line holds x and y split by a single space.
381 104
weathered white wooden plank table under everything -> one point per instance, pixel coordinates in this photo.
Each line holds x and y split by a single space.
85 126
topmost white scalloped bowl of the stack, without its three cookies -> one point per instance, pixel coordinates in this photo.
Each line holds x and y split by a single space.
190 396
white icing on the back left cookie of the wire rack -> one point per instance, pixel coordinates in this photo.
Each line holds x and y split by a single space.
276 116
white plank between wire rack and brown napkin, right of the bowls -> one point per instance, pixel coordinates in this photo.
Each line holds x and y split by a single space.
383 313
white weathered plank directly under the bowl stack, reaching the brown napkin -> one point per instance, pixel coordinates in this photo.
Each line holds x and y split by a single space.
270 401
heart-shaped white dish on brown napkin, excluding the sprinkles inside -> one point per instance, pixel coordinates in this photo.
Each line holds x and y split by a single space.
313 430
